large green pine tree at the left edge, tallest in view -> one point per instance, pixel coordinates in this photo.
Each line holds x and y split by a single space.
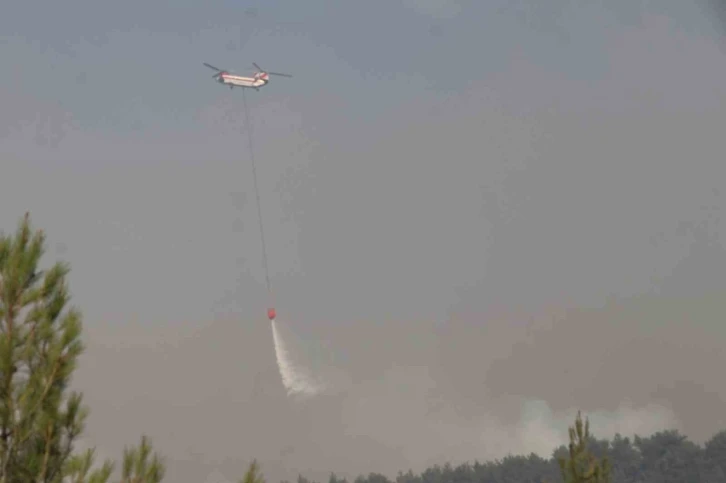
40 342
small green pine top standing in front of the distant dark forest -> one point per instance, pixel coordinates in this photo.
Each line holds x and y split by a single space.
583 466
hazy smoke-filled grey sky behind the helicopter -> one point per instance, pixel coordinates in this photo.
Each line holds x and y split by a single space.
480 217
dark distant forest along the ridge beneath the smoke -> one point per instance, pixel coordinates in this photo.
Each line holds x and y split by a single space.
664 457
